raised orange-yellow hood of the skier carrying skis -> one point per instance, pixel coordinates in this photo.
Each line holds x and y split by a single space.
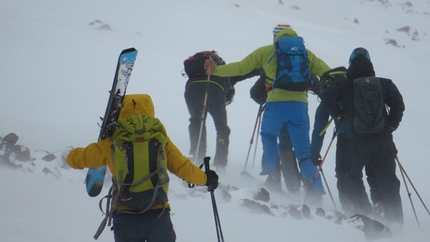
137 104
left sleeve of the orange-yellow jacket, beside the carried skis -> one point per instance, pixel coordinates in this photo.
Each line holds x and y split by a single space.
94 155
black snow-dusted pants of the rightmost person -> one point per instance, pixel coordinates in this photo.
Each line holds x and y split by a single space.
377 154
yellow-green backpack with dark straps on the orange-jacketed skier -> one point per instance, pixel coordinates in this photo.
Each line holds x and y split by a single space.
140 162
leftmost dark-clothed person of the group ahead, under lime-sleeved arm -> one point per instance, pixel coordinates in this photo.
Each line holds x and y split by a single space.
220 92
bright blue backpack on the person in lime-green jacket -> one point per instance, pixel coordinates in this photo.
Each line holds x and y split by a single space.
292 72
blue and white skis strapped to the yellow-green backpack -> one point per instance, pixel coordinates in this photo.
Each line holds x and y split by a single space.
96 176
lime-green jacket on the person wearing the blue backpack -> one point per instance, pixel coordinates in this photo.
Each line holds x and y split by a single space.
260 57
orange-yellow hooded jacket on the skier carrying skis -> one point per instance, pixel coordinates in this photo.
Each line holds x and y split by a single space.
99 153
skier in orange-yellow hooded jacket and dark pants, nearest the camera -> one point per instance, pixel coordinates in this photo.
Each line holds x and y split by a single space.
154 224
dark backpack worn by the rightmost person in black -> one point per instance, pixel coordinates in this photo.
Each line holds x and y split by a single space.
368 105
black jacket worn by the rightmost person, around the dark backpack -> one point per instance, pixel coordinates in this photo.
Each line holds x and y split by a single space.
337 99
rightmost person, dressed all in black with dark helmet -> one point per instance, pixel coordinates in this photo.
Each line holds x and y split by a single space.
376 151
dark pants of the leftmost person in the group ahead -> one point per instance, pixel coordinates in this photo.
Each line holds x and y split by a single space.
215 106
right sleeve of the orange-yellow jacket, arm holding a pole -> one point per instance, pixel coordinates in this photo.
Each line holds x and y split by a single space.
182 167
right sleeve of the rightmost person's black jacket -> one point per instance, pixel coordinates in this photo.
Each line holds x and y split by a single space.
395 102
